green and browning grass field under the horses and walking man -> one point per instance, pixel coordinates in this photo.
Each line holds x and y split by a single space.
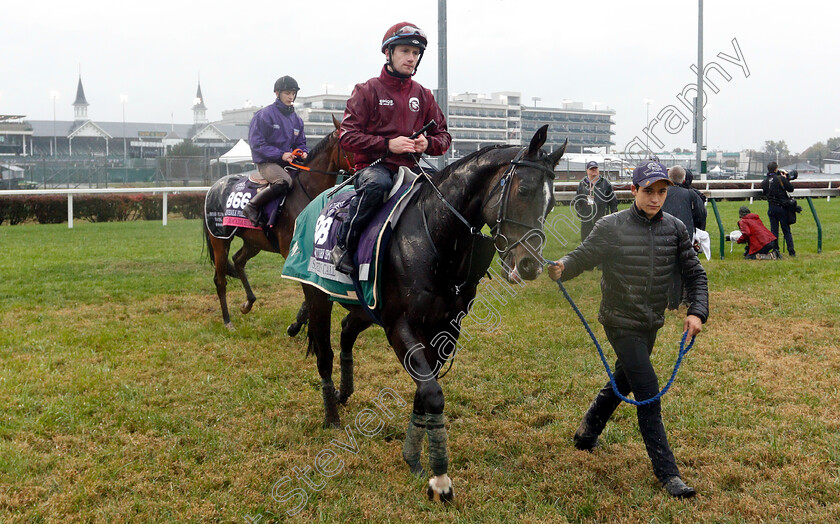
123 398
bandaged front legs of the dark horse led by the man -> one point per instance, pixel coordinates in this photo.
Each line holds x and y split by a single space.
427 414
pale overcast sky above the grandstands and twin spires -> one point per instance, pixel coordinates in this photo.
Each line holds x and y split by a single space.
615 53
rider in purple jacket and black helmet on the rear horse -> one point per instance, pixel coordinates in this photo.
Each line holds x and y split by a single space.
275 131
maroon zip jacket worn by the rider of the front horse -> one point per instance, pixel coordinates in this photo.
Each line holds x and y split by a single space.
388 107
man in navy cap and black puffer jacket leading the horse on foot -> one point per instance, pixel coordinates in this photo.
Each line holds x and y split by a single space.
639 248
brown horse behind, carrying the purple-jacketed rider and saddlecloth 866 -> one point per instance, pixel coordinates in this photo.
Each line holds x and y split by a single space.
324 162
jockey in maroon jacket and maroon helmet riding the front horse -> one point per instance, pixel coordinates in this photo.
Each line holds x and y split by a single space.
380 117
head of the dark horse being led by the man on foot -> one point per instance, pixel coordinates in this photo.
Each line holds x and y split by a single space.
526 197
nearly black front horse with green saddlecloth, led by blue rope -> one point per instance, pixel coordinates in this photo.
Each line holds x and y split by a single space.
428 282
